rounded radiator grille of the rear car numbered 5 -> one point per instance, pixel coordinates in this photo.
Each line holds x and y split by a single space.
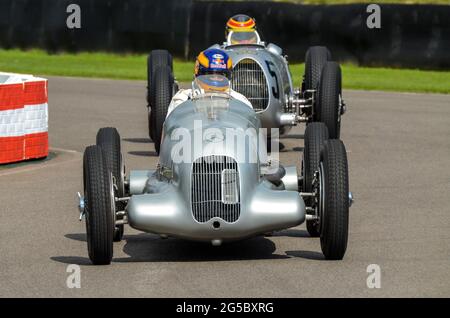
249 80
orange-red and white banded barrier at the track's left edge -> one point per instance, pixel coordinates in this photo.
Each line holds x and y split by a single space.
23 117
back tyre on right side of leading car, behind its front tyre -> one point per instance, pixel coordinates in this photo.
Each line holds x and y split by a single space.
315 136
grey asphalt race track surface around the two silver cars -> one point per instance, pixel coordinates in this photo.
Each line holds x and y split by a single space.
399 155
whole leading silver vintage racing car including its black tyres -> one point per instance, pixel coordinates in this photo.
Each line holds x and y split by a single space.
215 181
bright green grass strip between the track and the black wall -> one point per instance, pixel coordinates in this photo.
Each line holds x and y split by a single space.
132 66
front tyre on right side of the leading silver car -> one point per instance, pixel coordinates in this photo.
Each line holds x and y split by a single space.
335 201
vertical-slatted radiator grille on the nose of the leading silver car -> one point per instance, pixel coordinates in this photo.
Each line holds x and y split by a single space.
215 189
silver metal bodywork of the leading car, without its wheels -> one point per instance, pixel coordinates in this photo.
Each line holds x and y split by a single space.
218 192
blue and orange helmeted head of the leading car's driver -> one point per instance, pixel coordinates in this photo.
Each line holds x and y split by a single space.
213 61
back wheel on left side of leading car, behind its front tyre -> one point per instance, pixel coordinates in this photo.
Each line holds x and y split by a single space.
108 139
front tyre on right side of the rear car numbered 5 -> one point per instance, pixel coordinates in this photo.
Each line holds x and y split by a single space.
327 106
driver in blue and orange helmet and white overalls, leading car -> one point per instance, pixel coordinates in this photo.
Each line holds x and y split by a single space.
211 61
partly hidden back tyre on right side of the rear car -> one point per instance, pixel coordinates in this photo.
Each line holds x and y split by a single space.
315 59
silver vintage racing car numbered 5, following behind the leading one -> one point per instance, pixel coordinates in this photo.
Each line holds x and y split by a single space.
261 73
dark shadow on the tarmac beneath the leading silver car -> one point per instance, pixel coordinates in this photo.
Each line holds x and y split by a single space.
146 247
